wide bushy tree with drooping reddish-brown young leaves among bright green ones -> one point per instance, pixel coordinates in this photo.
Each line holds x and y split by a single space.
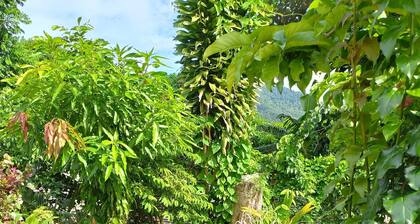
115 131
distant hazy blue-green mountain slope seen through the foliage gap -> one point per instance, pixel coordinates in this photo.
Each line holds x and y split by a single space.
271 104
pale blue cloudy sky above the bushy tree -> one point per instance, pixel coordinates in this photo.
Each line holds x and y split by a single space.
144 24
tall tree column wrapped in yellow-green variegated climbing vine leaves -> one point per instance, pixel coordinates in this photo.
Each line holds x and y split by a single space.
224 141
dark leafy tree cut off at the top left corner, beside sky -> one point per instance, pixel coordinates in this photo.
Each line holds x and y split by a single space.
11 17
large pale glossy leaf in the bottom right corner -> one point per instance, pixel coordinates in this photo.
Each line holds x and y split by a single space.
403 209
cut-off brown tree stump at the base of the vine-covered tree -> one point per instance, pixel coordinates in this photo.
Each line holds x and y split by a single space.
249 194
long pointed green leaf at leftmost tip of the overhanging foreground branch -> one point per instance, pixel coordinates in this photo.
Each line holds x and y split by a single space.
226 42
